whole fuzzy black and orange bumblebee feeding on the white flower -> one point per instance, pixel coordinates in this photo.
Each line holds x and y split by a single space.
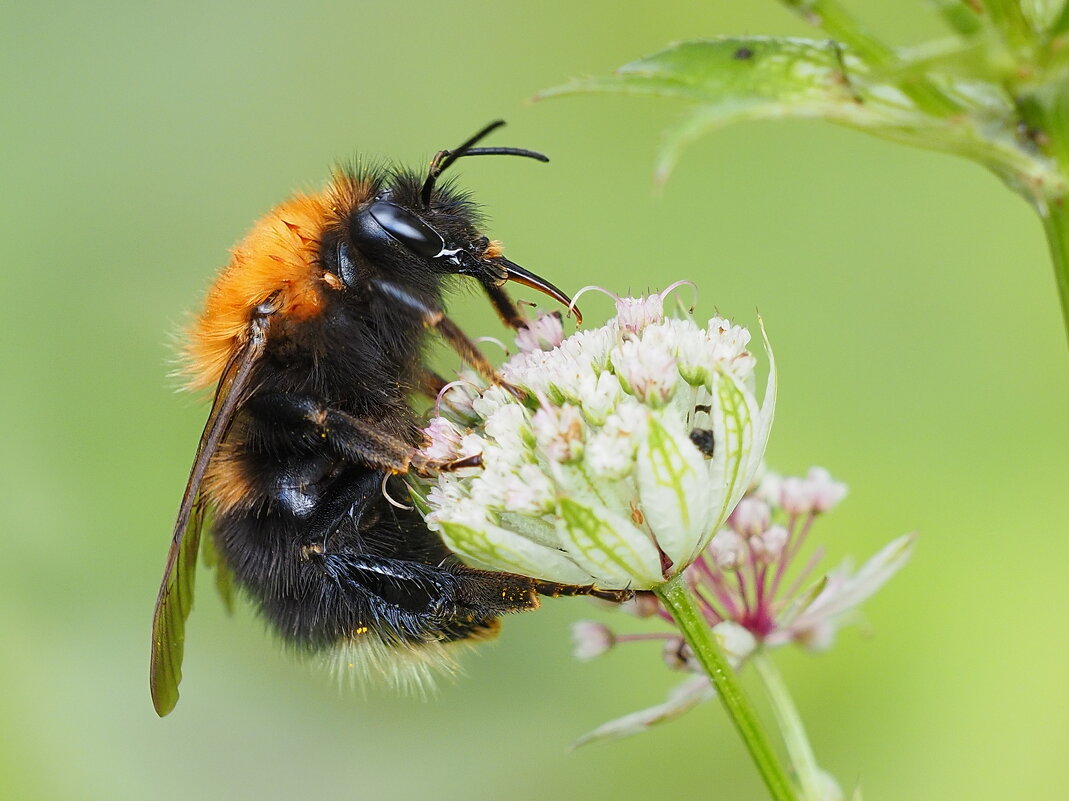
314 338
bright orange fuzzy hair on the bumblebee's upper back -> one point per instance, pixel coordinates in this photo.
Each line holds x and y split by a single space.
281 255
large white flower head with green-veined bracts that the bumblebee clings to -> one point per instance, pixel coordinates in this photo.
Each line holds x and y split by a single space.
633 448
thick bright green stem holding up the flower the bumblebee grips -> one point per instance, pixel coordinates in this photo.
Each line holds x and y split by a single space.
678 599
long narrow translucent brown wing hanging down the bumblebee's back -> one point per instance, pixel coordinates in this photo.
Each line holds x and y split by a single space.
177 591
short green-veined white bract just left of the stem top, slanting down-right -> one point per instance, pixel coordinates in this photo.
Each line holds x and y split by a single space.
608 546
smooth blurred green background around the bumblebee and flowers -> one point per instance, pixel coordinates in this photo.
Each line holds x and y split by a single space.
908 296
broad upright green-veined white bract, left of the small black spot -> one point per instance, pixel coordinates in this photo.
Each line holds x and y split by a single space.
673 489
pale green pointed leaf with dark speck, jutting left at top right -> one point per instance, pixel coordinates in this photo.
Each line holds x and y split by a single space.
762 79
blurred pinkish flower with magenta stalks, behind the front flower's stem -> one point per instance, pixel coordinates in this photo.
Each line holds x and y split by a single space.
757 588
